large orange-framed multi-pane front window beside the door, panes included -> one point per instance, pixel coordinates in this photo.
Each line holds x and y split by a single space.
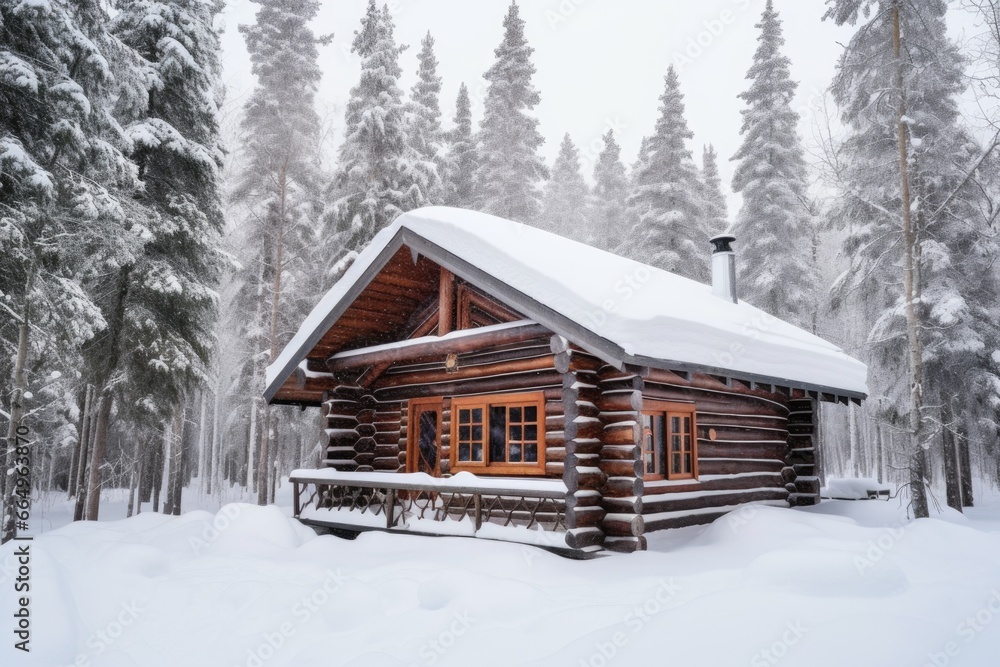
498 434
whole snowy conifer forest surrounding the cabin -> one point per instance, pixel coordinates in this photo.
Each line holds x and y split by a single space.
158 252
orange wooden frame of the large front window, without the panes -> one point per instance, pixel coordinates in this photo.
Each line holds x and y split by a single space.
486 401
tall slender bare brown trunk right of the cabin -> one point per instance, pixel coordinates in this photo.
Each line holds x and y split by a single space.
917 467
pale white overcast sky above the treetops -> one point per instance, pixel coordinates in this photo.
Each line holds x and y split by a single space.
600 63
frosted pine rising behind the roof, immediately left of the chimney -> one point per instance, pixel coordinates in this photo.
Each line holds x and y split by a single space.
664 201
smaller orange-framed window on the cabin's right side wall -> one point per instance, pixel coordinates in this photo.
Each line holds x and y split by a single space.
669 446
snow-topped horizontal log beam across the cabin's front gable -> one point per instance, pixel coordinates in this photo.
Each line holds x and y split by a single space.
431 346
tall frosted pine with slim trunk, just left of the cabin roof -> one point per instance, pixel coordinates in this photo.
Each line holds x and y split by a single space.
279 188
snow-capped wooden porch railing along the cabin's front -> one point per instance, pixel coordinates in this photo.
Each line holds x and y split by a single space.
394 501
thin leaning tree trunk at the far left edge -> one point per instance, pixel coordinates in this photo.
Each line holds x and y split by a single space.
8 487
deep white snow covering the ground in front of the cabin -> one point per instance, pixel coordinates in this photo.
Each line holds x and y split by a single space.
845 583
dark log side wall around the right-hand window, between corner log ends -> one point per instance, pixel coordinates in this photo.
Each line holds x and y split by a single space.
747 461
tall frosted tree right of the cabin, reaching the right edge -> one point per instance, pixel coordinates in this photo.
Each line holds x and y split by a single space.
912 203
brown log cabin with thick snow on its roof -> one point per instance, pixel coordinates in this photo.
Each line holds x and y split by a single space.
482 377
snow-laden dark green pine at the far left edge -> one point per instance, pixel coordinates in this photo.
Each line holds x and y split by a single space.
65 187
